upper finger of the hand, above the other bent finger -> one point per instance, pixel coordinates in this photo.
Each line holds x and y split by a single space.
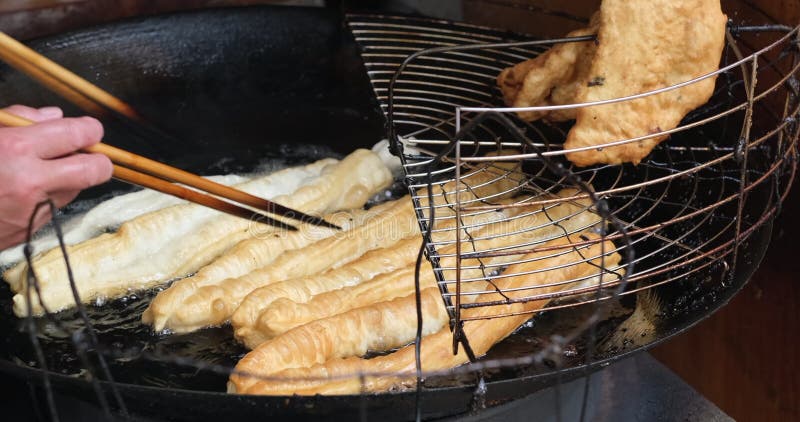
57 138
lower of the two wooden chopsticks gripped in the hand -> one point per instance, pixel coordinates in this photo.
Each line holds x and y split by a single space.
150 182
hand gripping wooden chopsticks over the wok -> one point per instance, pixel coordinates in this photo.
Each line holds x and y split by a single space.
38 162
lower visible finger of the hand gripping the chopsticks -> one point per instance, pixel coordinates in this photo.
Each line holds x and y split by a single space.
76 172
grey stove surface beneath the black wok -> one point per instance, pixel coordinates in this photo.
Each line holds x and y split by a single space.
635 389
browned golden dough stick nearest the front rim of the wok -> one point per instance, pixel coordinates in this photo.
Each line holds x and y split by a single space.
545 269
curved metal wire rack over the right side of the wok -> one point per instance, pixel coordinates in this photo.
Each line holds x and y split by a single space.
679 217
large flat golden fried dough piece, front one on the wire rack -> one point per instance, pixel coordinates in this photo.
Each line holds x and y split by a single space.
644 45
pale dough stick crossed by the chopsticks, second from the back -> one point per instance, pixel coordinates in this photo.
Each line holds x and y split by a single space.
167 244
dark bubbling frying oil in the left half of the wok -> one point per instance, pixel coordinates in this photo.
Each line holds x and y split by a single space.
135 353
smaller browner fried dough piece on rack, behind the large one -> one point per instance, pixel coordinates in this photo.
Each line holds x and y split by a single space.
555 77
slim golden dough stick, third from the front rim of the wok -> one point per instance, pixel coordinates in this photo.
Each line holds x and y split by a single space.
284 314
